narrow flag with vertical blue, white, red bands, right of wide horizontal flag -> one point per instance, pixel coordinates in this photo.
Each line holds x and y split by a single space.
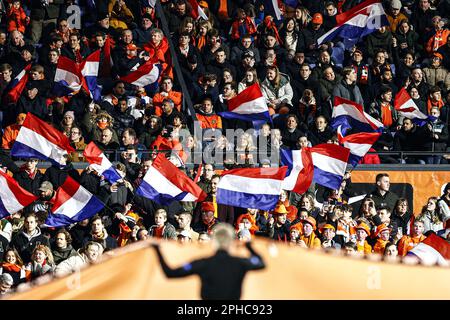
300 171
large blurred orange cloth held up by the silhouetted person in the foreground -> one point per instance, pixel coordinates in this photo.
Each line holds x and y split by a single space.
291 273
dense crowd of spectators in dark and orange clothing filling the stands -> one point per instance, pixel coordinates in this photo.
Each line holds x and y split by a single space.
240 44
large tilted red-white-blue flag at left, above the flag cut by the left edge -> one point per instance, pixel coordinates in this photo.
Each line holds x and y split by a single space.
37 139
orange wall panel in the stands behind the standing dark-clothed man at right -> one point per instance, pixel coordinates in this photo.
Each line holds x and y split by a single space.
425 184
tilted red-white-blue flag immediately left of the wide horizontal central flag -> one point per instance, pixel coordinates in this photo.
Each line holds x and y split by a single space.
164 183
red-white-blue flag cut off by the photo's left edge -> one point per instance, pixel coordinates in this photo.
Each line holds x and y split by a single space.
12 196
